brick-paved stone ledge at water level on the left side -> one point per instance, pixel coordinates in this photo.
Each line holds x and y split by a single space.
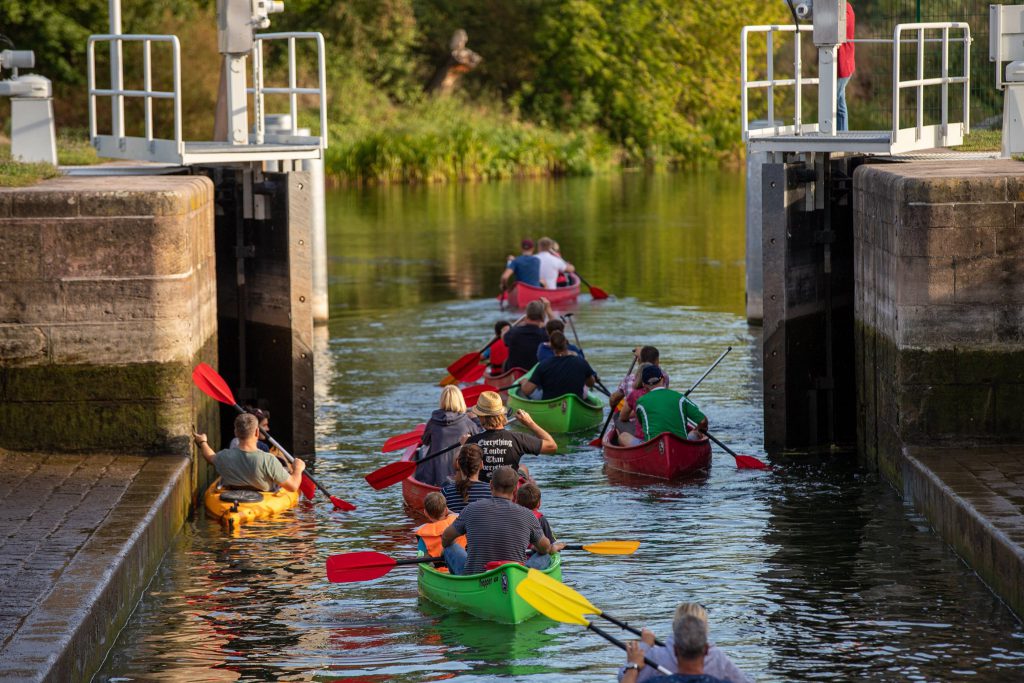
66 636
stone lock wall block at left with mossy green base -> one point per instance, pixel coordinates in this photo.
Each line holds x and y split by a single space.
108 300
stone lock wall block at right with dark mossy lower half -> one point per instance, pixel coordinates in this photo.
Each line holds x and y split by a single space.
940 272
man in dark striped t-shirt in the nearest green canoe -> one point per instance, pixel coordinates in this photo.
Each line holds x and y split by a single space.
497 530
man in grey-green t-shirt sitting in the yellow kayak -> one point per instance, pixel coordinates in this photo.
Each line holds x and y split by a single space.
248 467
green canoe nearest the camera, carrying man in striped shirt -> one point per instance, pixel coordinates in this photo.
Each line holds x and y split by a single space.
490 595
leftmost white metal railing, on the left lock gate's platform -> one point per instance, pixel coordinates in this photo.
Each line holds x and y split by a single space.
147 94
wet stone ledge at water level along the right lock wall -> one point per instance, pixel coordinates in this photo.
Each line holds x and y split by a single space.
974 499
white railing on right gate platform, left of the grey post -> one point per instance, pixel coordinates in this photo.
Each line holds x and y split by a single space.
771 83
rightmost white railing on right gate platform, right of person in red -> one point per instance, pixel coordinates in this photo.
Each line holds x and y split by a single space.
945 80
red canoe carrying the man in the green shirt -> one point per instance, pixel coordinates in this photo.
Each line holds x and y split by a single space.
665 457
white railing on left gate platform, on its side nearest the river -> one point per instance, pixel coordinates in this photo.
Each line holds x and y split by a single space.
292 91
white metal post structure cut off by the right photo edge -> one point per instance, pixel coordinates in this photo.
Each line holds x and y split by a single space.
1006 44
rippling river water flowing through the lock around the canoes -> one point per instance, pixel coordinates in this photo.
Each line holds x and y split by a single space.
814 571
